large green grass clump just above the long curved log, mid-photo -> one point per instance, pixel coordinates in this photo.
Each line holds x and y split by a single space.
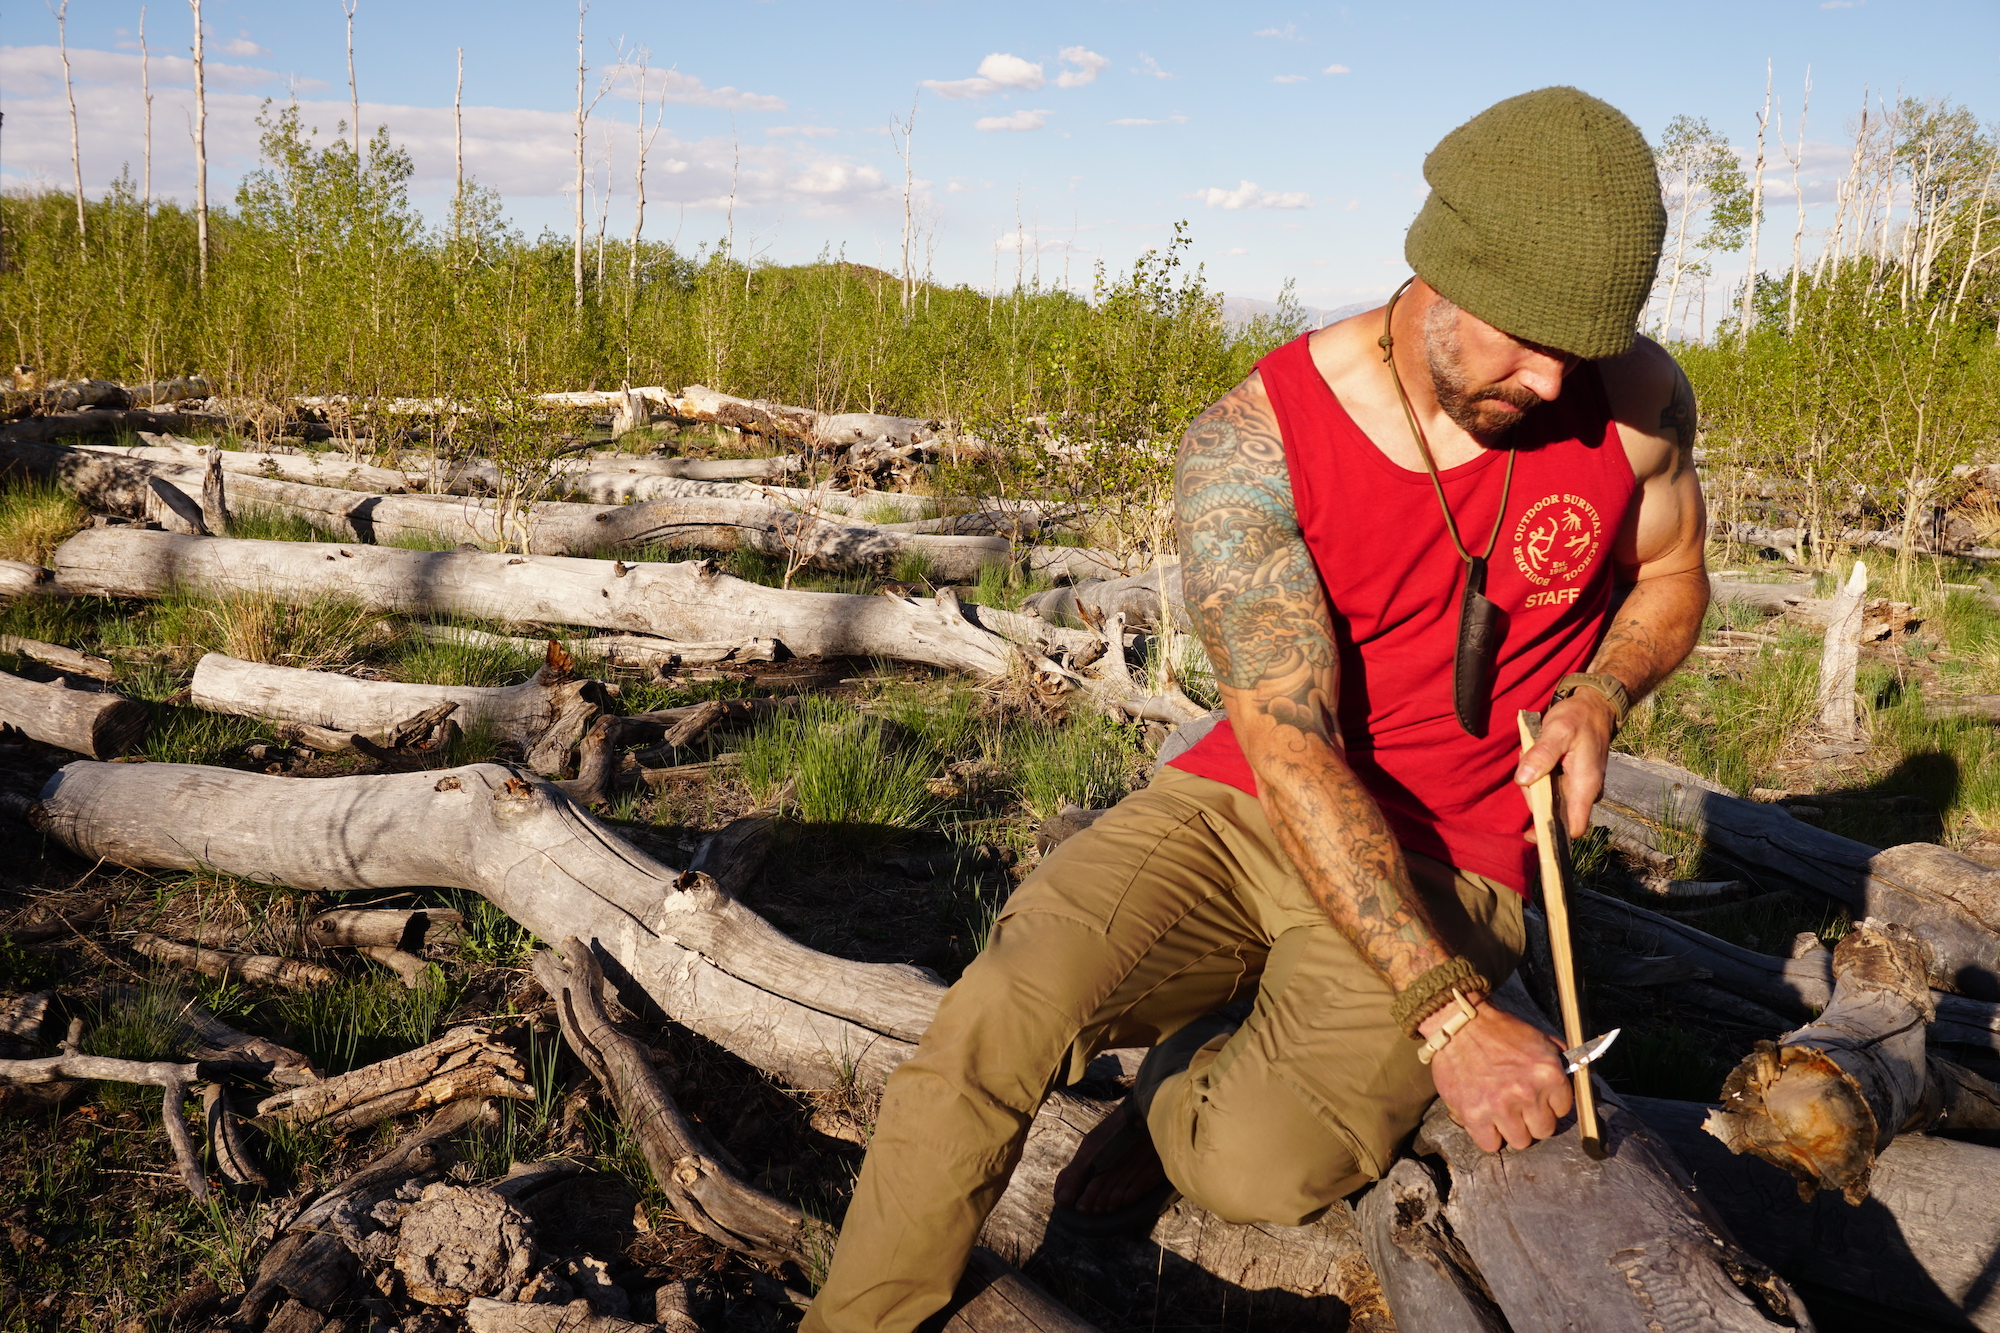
847 770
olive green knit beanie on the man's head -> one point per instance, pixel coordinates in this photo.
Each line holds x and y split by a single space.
1545 221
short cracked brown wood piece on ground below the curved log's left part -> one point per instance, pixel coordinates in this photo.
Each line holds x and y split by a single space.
467 1062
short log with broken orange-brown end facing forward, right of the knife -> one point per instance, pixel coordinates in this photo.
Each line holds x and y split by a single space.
1825 1100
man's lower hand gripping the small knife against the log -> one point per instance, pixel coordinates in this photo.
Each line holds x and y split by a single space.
1501 1080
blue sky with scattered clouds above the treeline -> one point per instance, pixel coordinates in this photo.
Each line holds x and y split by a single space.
1049 137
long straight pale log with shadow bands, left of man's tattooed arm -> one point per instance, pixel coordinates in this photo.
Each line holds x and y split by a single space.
675 601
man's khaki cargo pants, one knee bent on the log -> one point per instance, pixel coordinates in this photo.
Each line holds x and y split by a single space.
1175 904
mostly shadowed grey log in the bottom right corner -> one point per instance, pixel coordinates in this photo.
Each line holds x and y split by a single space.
1923 1242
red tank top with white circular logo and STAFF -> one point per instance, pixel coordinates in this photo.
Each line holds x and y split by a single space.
1393 581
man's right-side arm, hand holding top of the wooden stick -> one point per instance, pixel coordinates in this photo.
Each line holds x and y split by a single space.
1659 563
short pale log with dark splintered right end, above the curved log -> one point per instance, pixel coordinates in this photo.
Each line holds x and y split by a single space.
515 714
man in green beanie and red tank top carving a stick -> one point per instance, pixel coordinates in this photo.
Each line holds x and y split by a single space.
1395 535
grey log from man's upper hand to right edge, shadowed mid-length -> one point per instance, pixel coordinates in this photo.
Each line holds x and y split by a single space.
1951 902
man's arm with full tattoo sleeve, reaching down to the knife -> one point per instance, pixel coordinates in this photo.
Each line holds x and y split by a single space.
1261 611
